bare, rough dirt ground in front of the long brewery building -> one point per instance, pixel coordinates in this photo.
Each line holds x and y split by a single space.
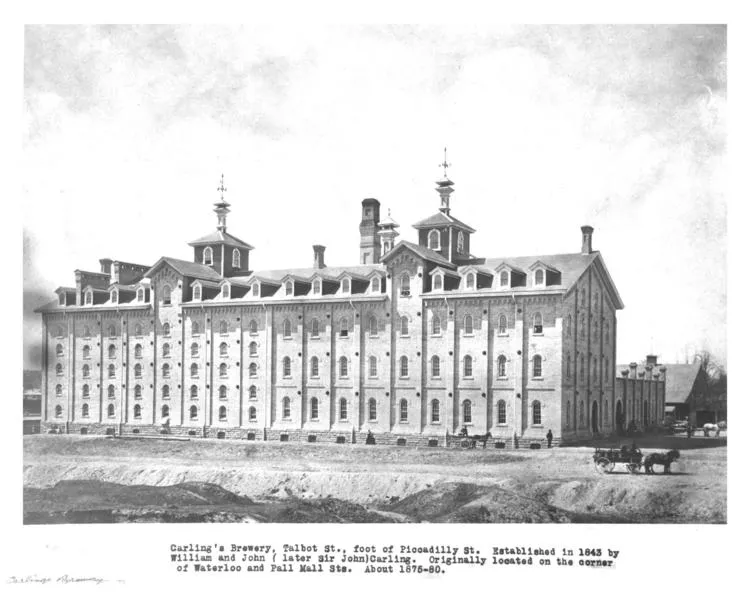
98 479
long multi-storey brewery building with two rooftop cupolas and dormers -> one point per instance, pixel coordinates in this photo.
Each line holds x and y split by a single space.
410 346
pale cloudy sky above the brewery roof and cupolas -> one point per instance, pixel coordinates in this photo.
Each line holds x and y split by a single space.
127 130
